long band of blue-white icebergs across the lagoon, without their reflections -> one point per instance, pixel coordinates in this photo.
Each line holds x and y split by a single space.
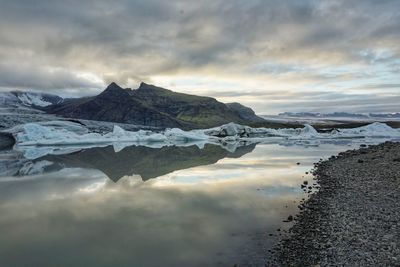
68 133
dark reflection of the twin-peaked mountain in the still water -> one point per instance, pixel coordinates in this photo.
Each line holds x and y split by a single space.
144 161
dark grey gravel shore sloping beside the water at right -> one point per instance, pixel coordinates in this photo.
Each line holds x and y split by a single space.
354 218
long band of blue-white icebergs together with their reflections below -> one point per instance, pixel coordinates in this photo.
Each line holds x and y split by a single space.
60 137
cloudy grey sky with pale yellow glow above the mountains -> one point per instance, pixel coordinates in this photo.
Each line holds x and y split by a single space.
272 55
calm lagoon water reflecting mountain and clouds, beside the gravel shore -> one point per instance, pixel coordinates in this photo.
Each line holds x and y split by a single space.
150 207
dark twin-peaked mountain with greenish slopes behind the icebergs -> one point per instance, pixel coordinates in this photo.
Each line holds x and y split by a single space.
153 106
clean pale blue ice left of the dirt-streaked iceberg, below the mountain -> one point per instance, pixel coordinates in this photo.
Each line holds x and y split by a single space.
64 133
